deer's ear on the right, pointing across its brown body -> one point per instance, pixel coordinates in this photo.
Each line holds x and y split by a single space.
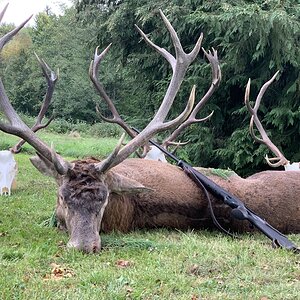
121 184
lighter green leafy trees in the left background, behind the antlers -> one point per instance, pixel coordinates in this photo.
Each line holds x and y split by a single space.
63 44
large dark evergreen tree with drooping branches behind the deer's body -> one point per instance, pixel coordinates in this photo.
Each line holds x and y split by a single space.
253 39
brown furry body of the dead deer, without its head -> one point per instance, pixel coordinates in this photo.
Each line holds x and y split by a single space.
177 202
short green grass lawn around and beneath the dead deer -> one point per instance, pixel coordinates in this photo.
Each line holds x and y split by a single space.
158 264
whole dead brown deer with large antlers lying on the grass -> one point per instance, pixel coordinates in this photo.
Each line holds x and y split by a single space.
124 194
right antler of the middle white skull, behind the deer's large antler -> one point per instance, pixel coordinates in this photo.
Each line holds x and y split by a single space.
216 79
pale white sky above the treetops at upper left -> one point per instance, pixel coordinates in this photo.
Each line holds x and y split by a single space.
20 10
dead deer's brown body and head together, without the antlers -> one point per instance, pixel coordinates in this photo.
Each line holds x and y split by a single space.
148 194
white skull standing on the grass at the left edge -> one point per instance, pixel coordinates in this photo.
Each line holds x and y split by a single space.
8 171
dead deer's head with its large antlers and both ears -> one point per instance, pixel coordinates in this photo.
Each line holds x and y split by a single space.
85 185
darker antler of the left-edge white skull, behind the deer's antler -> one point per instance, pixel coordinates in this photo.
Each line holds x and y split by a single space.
51 78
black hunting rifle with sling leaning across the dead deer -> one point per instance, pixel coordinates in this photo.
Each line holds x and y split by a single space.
239 210
